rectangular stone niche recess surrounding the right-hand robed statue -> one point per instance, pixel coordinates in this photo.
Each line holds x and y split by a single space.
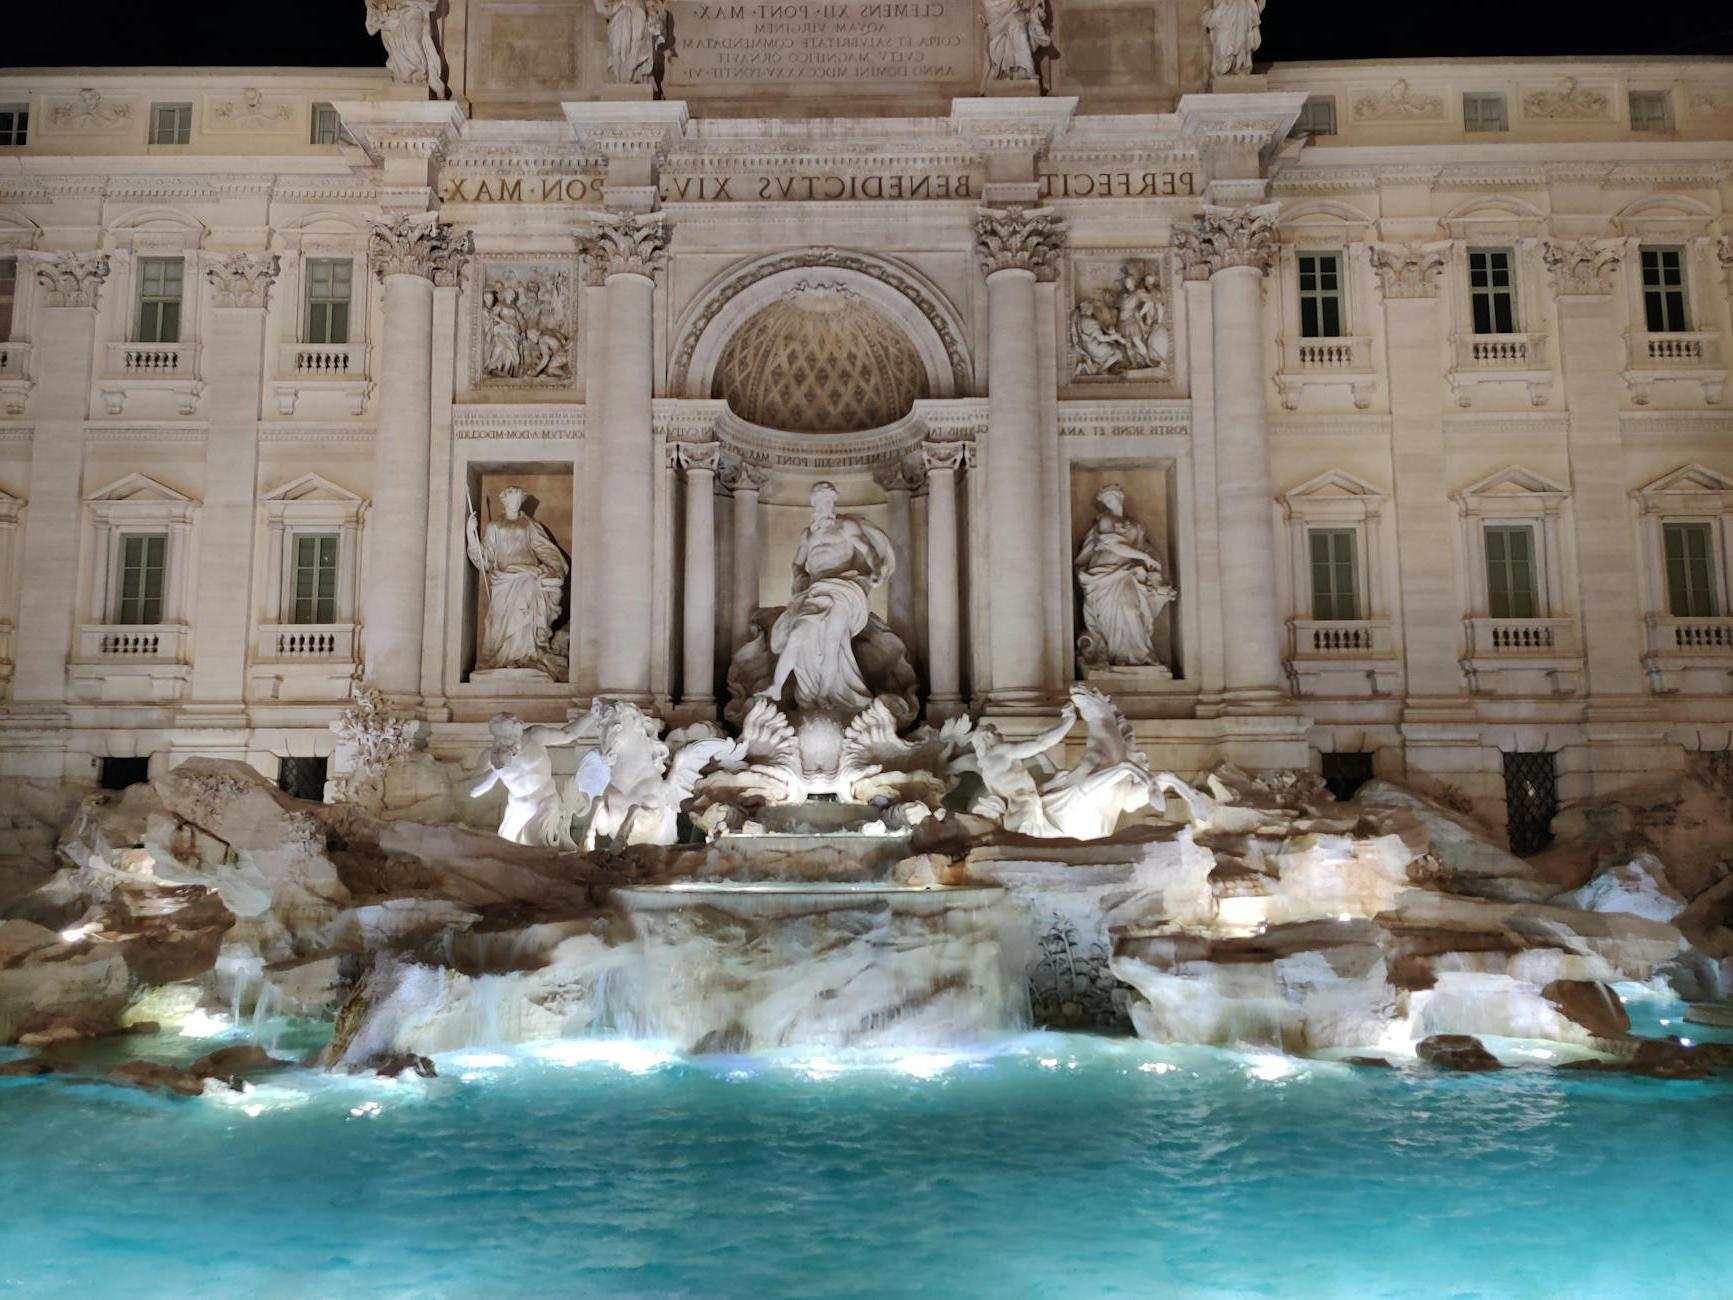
1148 502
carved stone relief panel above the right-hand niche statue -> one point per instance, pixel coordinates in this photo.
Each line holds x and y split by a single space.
1120 322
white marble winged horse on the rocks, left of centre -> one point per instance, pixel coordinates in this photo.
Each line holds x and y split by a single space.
637 781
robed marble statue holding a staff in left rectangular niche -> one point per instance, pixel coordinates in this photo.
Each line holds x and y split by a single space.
526 580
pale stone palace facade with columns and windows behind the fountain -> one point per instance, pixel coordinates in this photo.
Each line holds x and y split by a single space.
1412 374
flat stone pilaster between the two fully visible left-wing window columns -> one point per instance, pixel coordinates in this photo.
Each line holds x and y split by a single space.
235 360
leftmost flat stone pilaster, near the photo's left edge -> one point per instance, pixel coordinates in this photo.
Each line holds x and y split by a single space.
65 332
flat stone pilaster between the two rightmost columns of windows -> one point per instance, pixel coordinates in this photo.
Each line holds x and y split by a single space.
1590 349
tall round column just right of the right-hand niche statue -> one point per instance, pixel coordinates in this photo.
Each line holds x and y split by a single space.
1236 249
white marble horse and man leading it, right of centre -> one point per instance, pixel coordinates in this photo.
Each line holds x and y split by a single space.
1089 800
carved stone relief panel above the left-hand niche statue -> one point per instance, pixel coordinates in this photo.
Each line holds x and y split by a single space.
526 325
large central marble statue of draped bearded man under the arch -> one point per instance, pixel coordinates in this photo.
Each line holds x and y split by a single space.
838 561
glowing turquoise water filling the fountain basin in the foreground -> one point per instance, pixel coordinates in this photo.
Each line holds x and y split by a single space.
1049 1166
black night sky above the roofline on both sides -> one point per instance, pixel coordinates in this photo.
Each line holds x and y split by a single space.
330 32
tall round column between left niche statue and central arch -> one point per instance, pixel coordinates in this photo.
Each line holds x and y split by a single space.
630 250
